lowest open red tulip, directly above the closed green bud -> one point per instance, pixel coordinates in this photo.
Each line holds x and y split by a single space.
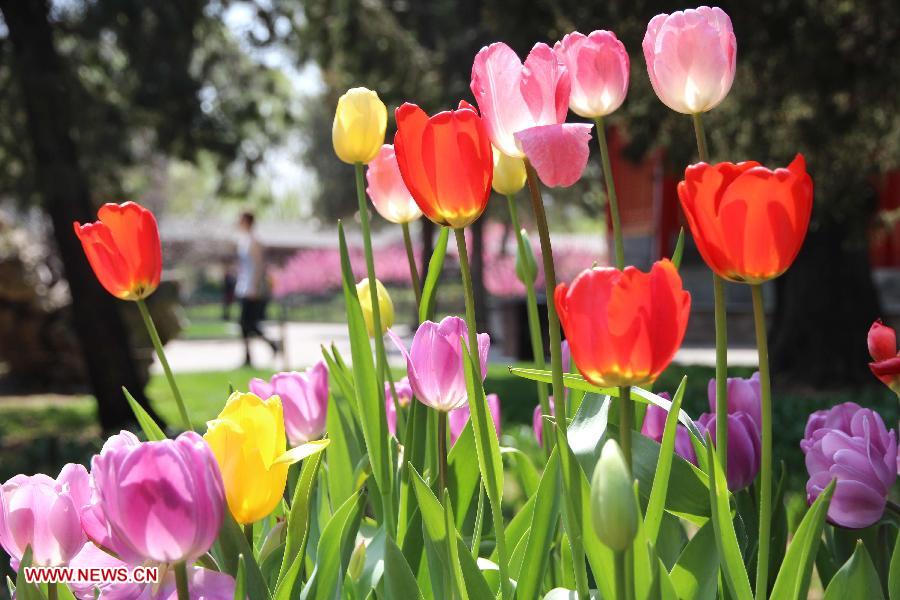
624 327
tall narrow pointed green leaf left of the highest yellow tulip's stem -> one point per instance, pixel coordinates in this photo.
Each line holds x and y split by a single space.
369 394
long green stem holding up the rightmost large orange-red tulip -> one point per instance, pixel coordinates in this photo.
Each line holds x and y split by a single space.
765 472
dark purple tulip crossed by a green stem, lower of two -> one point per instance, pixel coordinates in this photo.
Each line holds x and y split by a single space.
744 446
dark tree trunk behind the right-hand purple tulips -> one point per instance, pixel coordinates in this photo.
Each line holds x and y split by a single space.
826 303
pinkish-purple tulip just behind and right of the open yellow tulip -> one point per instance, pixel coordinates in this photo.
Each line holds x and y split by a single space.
304 397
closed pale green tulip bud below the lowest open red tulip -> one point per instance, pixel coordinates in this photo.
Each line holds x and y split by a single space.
613 508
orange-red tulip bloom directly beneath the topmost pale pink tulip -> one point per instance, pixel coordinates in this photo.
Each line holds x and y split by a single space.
748 221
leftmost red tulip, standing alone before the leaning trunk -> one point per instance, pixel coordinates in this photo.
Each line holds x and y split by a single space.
123 249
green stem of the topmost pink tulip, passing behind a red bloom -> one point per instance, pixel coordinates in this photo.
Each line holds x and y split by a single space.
721 325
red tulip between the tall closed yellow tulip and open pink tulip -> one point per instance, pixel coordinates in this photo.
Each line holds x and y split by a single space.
446 162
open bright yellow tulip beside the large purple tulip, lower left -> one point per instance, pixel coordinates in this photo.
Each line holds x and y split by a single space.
249 443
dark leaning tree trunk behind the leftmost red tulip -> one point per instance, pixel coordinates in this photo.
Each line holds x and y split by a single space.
65 193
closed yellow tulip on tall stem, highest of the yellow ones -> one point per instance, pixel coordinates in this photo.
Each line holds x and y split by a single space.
359 125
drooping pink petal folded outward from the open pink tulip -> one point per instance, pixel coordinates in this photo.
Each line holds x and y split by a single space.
558 153
